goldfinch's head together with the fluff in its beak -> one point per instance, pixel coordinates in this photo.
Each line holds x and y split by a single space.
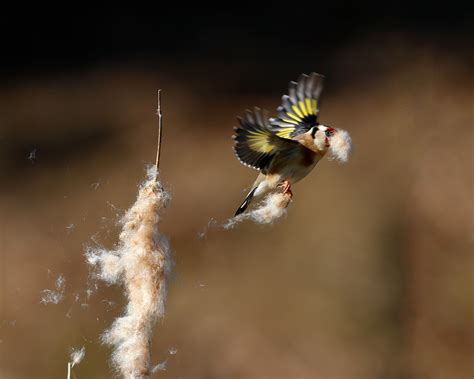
337 141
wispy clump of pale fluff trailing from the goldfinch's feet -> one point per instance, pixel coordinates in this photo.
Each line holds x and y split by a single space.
269 210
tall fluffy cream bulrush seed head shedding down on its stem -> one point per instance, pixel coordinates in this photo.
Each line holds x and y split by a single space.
141 263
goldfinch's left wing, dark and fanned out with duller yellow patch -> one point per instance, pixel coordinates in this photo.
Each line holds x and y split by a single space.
255 142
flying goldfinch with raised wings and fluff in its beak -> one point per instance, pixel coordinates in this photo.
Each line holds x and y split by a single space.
286 148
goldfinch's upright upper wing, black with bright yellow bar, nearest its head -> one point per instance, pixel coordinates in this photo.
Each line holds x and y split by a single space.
299 109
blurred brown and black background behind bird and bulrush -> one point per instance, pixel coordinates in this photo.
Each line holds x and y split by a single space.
369 276
